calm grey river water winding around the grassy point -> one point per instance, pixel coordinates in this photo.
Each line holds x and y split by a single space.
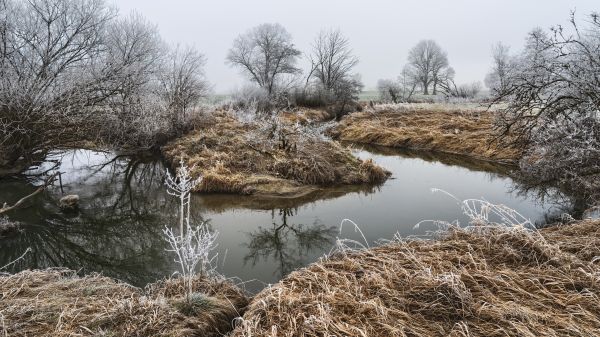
124 208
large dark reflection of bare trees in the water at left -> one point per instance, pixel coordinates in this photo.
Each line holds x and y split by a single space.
118 229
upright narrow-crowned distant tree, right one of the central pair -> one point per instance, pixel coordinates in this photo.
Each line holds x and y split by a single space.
331 59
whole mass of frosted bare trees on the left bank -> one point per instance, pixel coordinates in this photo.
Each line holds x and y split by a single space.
72 70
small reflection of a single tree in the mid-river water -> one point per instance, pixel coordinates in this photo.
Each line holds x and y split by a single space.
287 244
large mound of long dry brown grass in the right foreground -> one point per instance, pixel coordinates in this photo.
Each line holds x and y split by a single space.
486 281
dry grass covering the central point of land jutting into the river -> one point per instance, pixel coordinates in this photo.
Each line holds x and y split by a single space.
232 158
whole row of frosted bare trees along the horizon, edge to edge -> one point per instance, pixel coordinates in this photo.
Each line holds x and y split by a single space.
73 70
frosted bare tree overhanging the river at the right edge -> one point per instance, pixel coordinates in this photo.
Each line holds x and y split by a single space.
553 106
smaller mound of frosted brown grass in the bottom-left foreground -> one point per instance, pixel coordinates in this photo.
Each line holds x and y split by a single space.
58 303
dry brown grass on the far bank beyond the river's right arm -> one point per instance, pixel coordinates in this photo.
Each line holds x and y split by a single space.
457 129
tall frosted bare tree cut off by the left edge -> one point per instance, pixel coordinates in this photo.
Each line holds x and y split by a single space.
47 46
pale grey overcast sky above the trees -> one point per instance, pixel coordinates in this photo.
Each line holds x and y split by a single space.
381 32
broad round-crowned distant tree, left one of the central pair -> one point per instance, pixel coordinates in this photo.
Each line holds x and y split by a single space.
264 53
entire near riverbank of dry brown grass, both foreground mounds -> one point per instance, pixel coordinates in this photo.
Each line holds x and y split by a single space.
484 281
